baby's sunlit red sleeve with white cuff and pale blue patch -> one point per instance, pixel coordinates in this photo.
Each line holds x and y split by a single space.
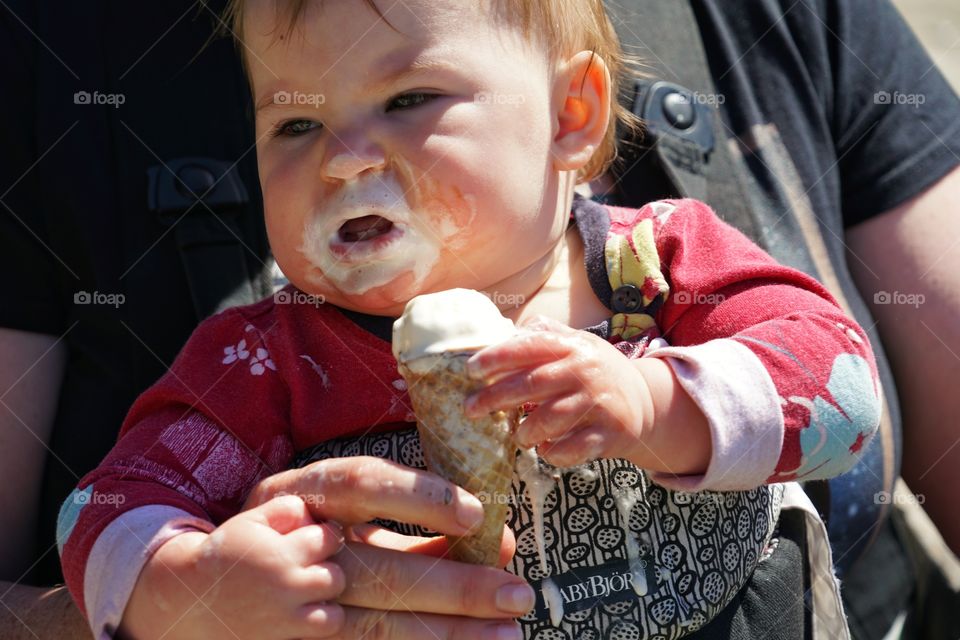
787 381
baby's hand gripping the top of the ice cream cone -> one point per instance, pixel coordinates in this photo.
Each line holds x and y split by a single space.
592 401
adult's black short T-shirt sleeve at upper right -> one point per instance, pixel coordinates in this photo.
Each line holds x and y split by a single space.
895 119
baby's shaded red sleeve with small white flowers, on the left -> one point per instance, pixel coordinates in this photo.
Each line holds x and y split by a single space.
189 452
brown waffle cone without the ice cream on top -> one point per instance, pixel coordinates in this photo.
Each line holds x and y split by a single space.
476 454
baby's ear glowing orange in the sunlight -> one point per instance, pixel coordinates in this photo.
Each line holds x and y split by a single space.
581 93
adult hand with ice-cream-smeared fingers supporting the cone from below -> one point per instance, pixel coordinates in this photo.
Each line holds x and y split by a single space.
396 586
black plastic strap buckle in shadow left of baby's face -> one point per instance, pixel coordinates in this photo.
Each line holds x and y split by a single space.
177 186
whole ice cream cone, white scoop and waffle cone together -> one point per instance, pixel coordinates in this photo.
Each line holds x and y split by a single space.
432 341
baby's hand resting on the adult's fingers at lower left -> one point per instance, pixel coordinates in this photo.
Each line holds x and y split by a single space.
261 574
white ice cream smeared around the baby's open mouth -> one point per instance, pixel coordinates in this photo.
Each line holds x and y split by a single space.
368 235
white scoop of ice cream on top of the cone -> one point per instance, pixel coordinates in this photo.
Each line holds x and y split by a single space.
448 321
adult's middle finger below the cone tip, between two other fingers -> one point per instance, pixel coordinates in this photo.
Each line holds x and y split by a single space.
397 581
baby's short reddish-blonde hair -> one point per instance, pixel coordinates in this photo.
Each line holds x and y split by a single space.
566 26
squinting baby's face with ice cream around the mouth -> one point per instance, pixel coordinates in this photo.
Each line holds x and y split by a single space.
400 160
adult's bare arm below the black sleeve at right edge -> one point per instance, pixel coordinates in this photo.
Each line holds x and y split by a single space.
906 263
